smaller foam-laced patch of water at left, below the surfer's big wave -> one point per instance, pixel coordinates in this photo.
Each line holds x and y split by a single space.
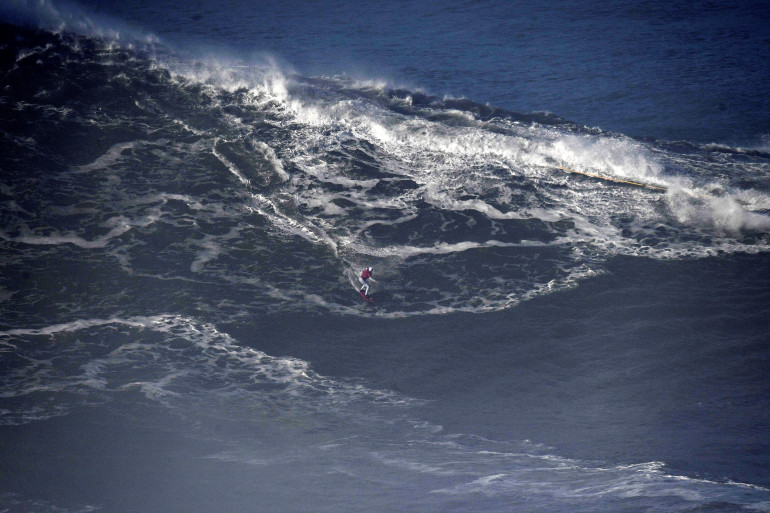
188 362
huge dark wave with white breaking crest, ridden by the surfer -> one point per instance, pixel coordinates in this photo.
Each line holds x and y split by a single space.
460 206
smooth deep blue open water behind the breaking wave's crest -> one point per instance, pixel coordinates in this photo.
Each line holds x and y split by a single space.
674 70
